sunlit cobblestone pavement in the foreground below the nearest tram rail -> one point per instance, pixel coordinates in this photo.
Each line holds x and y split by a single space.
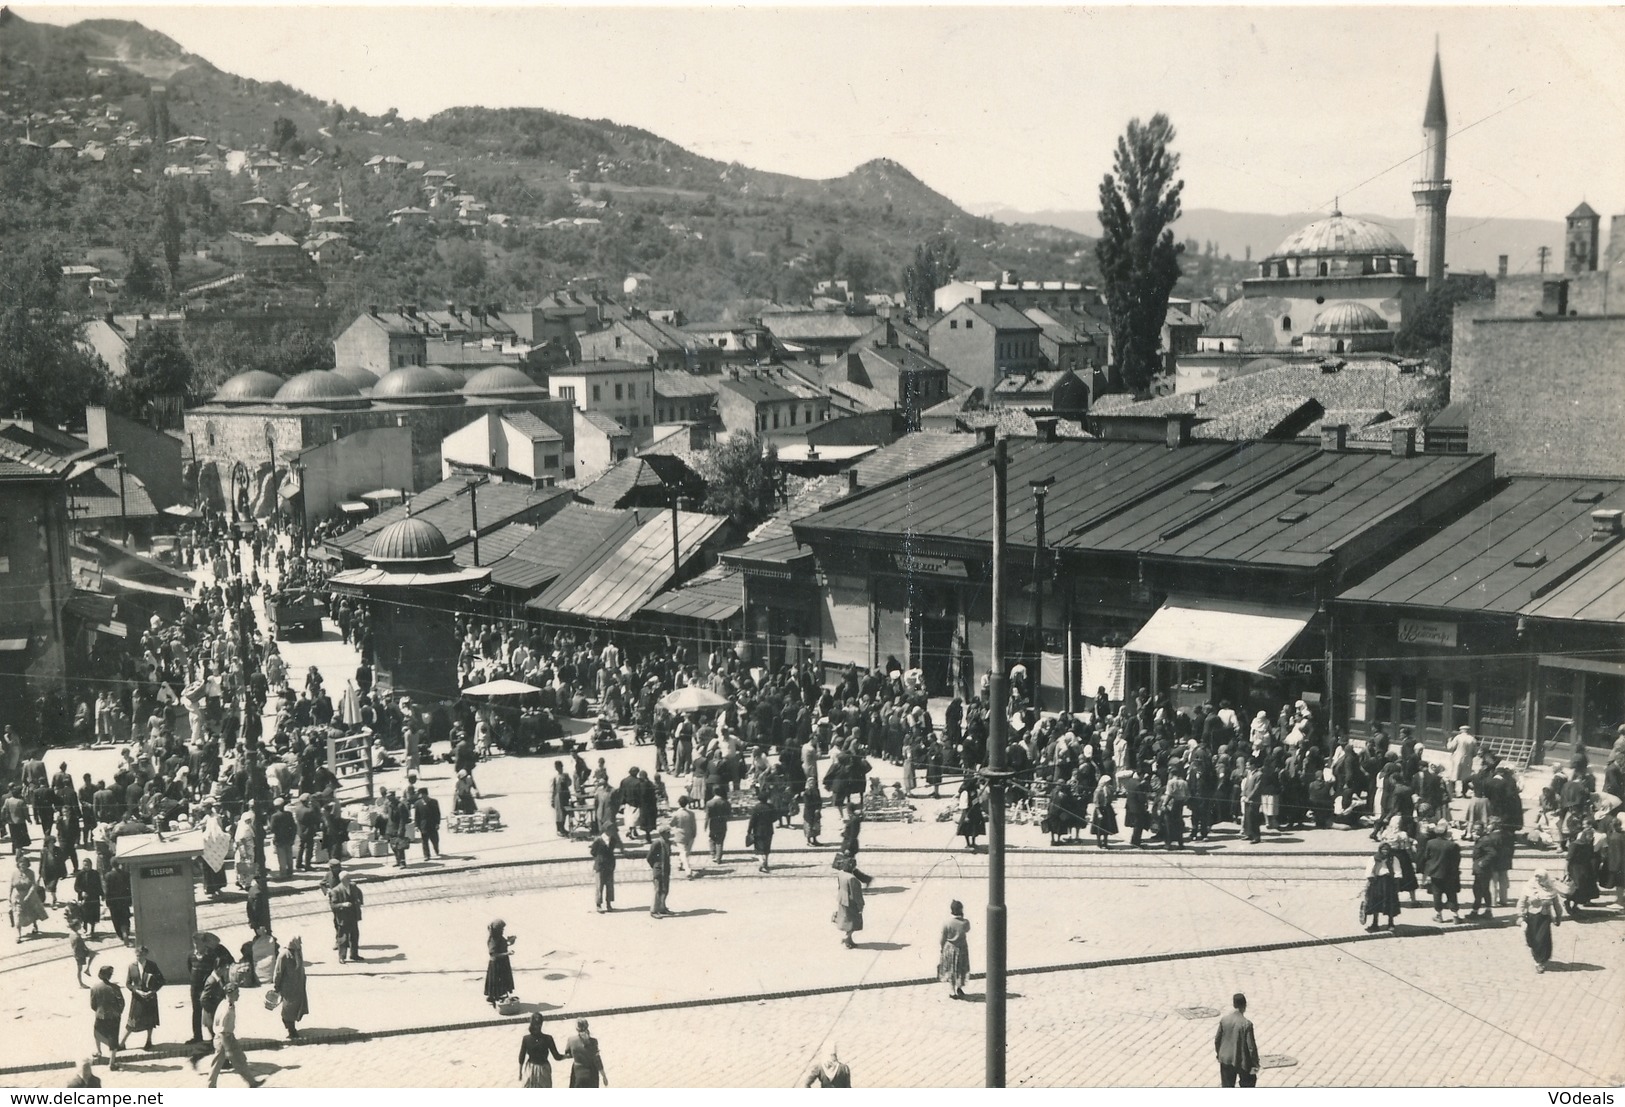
1452 1012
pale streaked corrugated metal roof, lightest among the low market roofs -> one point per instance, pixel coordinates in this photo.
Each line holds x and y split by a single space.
618 584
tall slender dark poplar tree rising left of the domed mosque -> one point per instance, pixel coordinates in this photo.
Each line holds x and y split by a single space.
1140 261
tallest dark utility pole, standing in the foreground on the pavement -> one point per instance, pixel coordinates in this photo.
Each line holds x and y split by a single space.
999 693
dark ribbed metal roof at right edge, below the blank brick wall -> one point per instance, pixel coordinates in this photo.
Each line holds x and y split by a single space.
1473 565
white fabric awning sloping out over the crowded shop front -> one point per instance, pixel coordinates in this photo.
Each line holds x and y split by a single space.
1231 635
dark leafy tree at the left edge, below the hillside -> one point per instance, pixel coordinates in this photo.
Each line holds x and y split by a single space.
45 373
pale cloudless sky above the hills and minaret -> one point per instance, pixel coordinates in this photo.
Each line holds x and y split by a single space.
1278 110
